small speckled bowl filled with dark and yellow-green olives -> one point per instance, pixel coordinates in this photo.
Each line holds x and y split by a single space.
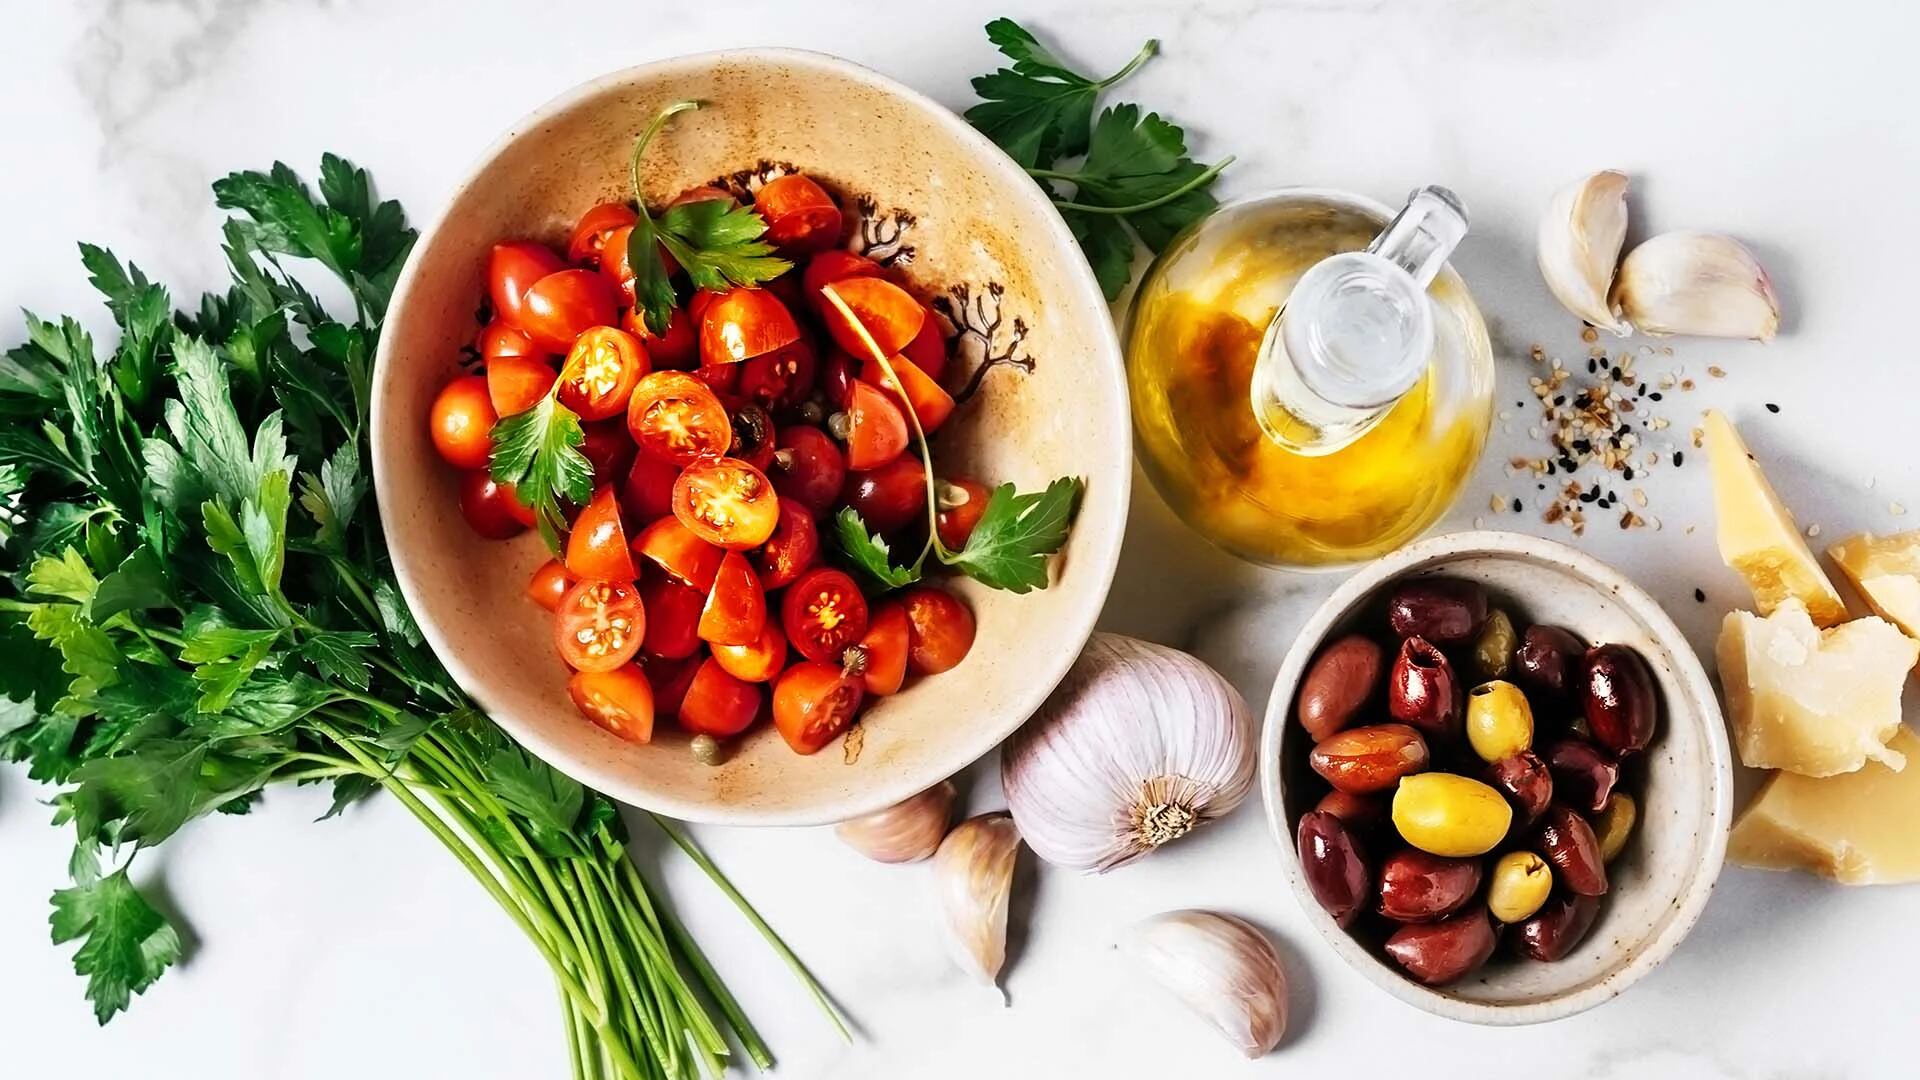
1499 777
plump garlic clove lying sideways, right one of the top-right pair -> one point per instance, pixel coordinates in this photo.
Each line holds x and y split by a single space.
1698 283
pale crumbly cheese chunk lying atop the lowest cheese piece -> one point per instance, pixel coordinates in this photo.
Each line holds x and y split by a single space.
1813 702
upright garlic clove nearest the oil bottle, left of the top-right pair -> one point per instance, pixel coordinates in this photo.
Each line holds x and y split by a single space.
1579 247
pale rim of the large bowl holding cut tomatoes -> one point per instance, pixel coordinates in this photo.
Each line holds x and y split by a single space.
1099 562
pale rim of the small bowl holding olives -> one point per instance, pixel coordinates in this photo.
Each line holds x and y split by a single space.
1691 674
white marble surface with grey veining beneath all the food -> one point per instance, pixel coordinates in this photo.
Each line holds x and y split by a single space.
356 948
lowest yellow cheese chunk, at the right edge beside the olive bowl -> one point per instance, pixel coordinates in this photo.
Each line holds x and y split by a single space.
1860 829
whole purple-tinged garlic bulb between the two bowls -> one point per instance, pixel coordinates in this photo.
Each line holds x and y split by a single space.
1138 747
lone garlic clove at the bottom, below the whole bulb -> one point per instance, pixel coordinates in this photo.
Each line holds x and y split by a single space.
1222 968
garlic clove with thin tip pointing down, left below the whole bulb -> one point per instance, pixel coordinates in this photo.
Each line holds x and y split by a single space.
972 879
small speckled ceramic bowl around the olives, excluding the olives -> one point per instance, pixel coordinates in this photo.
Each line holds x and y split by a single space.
1664 879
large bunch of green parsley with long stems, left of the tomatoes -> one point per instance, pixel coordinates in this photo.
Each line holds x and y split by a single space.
197 604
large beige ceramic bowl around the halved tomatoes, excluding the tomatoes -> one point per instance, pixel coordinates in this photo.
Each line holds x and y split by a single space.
926 195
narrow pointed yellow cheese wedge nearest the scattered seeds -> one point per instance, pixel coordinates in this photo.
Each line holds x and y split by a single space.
1758 535
